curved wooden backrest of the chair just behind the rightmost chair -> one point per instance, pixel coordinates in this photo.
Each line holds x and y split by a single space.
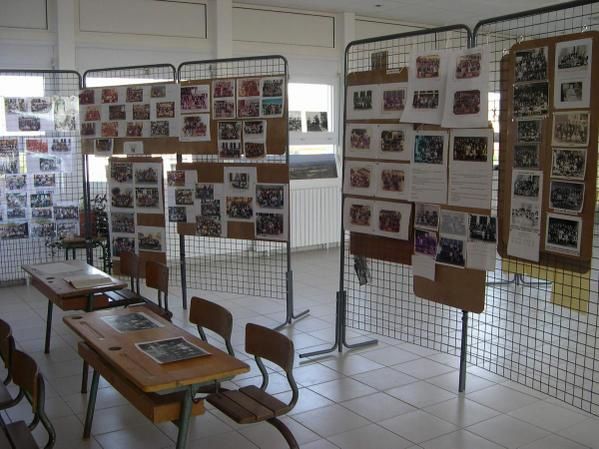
206 314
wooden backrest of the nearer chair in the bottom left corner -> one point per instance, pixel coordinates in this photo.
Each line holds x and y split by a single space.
27 377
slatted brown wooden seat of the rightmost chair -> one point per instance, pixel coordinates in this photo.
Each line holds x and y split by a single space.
248 405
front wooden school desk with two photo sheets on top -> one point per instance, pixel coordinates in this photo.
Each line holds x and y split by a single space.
118 351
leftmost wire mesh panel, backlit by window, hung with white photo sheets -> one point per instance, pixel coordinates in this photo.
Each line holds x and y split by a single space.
65 182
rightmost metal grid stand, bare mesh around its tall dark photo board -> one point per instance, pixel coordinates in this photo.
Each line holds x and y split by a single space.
523 334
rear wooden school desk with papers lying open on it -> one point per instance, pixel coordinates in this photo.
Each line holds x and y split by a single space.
48 278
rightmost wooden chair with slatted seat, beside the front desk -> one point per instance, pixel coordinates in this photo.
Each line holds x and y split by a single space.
252 404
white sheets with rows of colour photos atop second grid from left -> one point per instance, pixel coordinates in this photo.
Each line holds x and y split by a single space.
137 111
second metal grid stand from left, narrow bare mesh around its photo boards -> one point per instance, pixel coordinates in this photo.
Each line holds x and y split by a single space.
136 75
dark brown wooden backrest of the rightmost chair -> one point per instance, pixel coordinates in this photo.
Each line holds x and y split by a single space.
269 344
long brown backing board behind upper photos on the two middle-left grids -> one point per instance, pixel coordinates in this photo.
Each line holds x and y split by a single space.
276 137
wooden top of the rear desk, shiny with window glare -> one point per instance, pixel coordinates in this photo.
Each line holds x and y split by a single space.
56 288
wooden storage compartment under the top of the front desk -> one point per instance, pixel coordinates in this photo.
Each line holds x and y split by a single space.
156 407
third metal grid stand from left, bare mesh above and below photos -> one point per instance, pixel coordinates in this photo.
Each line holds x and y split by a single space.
250 267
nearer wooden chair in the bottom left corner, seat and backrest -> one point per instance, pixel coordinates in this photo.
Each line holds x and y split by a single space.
27 377
